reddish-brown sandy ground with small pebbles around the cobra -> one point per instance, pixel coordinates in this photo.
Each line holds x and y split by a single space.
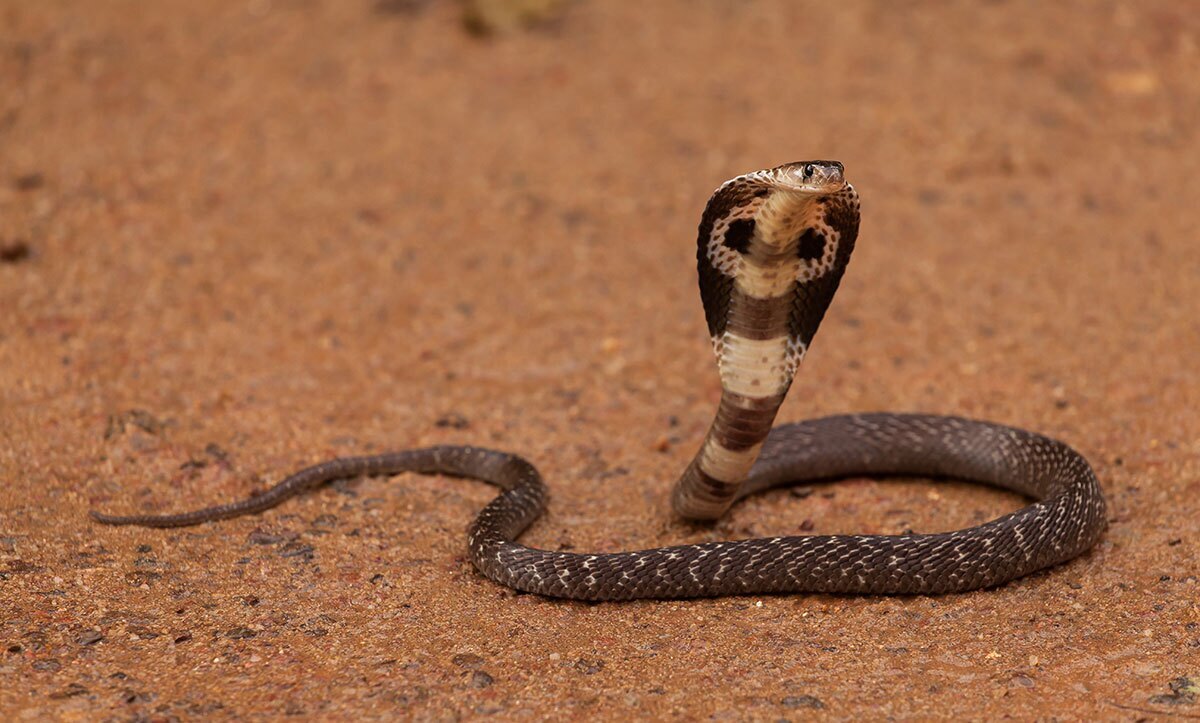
243 237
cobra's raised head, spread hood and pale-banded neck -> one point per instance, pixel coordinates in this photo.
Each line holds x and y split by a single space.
771 255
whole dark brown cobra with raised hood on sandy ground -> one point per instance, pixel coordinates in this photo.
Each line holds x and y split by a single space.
772 249
